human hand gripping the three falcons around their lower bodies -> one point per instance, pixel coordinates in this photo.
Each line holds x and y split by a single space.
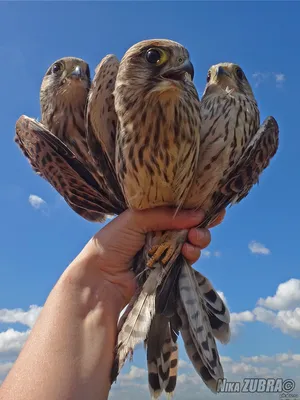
108 255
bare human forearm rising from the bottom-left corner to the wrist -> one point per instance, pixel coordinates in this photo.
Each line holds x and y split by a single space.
70 350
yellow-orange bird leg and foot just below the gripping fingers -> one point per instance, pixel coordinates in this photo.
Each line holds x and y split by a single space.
166 246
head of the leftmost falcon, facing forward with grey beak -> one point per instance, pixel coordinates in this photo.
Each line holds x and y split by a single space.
68 79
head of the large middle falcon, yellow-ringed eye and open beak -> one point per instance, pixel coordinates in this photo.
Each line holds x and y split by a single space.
156 64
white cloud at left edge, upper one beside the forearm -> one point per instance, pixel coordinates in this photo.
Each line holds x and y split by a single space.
27 318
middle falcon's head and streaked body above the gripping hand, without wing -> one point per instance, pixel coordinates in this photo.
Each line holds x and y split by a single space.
158 124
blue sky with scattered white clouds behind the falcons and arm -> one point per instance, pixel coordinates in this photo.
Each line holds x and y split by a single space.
36 244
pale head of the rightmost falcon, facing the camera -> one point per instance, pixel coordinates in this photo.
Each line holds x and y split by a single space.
229 78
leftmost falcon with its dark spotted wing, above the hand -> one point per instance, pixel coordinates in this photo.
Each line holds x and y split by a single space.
63 99
